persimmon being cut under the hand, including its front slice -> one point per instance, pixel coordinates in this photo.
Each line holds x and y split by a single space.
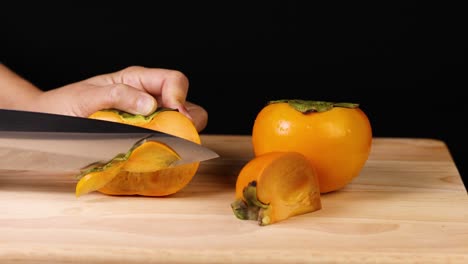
133 175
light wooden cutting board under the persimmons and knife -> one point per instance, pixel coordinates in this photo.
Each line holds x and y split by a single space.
408 205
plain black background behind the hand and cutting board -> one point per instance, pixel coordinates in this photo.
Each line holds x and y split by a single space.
404 64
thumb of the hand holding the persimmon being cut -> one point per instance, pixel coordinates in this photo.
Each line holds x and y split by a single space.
117 96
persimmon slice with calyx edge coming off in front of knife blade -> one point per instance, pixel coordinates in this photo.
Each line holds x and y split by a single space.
145 156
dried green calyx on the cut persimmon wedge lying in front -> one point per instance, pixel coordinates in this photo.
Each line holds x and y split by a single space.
250 208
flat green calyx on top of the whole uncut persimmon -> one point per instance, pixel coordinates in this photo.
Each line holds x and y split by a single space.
307 106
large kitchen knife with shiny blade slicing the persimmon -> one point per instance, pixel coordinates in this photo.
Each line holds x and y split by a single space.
36 141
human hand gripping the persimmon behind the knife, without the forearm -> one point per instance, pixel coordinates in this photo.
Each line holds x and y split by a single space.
137 90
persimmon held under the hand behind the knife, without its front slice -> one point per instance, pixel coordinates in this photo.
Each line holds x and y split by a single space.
159 183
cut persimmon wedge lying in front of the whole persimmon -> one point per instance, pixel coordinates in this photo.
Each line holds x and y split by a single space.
275 186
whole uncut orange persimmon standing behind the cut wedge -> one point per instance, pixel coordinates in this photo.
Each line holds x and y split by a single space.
335 137
